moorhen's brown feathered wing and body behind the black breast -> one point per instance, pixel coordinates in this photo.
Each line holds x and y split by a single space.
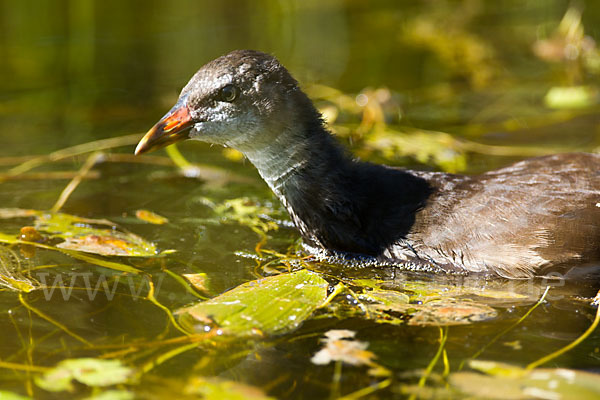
518 221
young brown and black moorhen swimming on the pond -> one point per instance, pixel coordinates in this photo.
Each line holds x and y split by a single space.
524 220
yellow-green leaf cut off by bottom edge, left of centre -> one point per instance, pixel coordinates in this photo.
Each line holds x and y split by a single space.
218 389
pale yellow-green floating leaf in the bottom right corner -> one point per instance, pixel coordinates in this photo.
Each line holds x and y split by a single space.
504 381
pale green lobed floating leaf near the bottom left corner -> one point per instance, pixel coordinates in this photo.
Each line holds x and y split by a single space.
89 371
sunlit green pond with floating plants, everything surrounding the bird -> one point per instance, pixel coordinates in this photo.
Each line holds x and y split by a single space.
457 86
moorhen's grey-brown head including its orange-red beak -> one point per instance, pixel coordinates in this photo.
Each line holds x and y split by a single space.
234 100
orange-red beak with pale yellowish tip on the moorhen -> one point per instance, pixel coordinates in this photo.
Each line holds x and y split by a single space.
170 129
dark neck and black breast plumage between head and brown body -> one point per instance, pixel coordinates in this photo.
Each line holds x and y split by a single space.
337 203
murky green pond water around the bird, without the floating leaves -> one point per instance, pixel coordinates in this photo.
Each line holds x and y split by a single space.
78 71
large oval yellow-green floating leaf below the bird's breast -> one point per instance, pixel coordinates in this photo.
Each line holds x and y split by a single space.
268 306
